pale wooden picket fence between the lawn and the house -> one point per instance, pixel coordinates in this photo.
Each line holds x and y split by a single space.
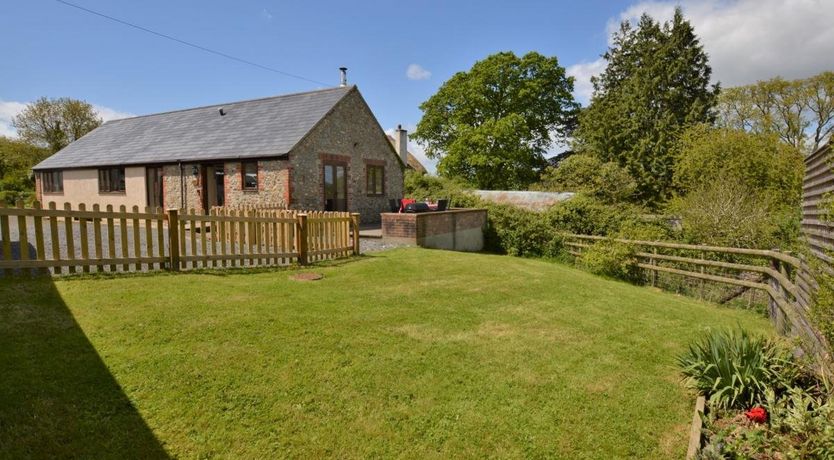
94 240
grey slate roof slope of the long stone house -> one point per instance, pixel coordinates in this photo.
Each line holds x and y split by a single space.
265 127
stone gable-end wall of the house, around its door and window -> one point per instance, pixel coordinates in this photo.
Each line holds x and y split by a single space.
349 135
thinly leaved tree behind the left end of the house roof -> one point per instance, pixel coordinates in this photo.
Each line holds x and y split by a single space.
54 123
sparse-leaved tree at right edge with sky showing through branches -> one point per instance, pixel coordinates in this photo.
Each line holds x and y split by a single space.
800 112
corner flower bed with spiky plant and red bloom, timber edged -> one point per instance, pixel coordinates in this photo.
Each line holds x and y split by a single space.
761 402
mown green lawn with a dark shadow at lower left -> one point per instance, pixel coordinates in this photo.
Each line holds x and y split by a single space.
410 353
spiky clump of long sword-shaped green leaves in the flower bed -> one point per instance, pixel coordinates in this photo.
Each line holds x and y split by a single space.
733 369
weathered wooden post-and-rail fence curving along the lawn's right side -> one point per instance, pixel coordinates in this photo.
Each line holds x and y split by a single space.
787 280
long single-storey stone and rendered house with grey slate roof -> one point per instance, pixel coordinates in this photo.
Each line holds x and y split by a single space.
318 150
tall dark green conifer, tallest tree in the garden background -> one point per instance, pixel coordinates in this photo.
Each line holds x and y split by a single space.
656 83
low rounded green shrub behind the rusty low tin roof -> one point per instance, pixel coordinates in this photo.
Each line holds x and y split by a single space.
587 174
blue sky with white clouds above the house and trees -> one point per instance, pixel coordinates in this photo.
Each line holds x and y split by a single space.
398 54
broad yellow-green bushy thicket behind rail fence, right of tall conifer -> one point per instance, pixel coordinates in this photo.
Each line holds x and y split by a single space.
737 188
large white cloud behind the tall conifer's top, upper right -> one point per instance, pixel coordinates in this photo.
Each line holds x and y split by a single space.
750 40
